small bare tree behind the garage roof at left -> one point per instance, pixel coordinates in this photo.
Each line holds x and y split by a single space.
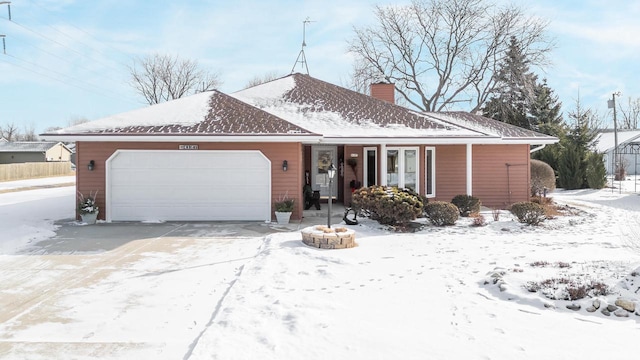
160 78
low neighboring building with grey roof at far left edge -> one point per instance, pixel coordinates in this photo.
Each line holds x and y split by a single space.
12 152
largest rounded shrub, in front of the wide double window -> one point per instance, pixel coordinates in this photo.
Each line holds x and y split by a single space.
388 205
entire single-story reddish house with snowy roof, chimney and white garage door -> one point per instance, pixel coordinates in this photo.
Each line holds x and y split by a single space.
213 156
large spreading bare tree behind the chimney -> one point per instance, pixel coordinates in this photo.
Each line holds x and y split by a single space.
440 52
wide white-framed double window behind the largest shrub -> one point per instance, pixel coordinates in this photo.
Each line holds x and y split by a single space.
402 167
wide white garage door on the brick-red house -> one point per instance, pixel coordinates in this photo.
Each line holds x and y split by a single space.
188 185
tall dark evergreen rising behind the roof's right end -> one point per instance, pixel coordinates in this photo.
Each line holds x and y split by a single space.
515 89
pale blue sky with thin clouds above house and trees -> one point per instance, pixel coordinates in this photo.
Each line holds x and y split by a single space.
69 59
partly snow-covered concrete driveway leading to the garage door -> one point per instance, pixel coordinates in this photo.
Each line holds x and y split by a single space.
119 291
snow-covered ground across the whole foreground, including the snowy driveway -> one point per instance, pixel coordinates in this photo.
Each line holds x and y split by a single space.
458 292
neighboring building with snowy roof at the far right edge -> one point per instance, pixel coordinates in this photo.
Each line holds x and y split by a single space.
628 150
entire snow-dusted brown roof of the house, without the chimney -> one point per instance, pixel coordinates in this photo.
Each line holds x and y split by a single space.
296 107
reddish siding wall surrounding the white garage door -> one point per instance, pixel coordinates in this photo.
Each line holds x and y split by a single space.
283 183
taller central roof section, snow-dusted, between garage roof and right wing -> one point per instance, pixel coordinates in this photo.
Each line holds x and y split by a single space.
336 112
